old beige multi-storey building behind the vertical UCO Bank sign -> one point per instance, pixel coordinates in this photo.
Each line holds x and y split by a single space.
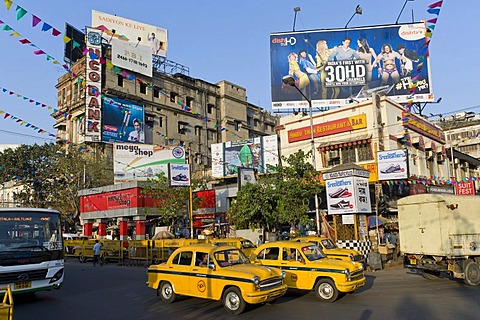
179 109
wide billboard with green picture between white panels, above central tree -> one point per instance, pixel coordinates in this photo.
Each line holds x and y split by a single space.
255 153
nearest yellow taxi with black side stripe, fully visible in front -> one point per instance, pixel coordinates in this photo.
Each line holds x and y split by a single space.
216 272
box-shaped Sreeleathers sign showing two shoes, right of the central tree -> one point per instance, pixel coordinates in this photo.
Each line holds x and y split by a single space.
348 195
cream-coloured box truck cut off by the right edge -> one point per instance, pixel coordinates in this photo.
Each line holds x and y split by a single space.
440 234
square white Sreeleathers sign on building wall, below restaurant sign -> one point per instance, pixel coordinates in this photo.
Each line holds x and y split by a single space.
392 165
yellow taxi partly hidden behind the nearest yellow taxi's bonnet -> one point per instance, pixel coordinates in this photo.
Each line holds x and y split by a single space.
308 268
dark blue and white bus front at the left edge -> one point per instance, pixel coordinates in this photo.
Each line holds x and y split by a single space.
31 249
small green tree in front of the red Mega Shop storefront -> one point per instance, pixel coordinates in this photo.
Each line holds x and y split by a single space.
171 203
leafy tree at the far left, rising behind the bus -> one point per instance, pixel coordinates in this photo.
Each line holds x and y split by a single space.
48 176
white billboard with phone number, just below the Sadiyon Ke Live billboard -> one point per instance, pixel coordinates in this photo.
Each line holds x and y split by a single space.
134 58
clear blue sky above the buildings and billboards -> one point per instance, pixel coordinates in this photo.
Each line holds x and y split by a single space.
224 40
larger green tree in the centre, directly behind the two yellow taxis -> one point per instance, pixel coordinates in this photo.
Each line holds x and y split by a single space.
278 198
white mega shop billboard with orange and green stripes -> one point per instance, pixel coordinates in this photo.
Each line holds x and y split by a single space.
138 162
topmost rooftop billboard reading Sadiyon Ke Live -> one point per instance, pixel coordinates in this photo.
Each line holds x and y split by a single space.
132 31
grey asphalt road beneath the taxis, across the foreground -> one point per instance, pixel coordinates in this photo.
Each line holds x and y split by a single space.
119 292
